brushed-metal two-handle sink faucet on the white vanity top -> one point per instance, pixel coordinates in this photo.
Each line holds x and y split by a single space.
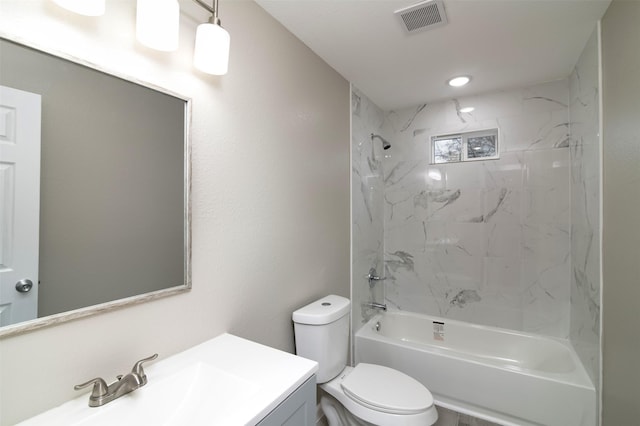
102 393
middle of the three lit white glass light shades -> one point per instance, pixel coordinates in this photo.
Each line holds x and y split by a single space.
158 24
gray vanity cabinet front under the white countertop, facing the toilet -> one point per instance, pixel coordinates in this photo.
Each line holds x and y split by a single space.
299 409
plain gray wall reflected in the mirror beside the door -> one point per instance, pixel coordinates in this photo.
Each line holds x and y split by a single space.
111 191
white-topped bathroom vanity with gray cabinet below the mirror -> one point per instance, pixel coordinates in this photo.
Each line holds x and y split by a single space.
224 381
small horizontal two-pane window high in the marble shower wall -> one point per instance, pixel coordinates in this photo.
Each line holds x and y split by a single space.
471 146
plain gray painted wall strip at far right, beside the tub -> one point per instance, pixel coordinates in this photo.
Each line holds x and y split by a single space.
621 237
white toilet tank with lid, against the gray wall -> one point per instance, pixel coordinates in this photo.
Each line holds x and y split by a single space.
322 334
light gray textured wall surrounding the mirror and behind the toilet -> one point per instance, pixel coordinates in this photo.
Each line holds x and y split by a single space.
270 196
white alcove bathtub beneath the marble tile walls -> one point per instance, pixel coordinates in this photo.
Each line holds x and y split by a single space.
510 378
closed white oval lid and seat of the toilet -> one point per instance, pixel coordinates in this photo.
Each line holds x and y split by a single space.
385 389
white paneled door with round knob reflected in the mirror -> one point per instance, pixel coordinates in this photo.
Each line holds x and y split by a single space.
20 114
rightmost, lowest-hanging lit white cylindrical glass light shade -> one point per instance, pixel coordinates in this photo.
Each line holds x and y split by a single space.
212 49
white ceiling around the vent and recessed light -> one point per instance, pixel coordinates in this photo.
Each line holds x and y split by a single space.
500 43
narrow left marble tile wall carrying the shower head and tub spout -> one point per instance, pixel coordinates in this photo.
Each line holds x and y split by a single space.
367 208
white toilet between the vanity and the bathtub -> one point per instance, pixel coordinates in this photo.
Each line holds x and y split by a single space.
366 394
